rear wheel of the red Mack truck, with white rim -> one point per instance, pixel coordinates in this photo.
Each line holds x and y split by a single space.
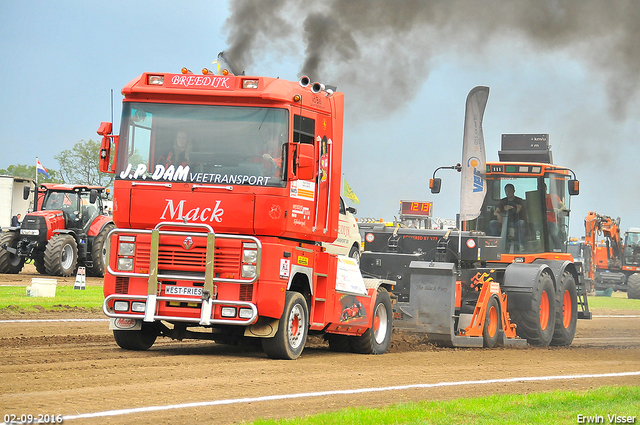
377 338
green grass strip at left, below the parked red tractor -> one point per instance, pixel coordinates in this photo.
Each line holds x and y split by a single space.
15 298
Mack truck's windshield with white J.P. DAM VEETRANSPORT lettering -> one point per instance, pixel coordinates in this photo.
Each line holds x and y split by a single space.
203 144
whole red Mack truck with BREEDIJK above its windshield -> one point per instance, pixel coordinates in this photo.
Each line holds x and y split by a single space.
226 187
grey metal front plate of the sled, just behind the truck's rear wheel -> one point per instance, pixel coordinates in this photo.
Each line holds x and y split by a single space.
431 308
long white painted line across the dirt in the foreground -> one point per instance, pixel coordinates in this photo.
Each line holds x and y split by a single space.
339 392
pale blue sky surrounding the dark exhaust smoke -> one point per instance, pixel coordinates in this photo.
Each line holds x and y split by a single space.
62 59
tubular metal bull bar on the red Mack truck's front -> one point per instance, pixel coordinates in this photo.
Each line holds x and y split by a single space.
205 258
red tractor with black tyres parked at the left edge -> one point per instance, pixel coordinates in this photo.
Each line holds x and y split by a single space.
68 231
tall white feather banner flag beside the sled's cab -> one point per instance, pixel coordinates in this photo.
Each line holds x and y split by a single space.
473 186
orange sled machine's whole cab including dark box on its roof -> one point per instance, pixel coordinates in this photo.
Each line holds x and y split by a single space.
528 198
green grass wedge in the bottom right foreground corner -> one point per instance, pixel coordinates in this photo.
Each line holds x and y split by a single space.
556 407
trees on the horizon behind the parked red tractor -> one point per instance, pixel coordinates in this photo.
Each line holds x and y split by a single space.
78 166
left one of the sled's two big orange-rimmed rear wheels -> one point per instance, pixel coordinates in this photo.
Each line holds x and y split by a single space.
535 317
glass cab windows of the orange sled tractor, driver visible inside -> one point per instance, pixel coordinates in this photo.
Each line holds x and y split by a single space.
531 214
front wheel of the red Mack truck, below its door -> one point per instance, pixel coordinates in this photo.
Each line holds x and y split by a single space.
289 340
